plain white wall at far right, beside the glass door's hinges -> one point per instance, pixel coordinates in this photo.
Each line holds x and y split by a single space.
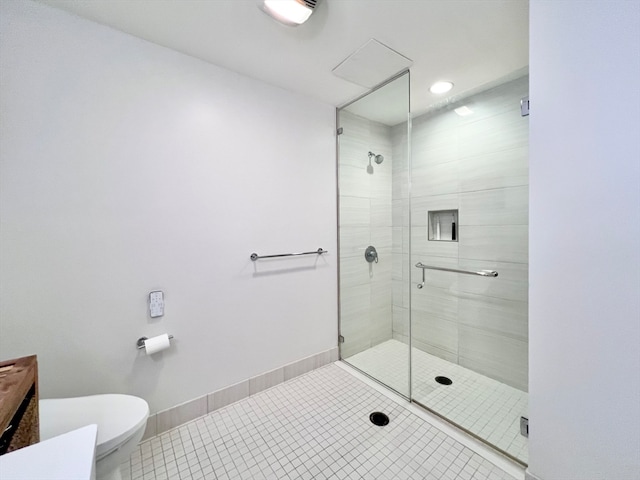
585 240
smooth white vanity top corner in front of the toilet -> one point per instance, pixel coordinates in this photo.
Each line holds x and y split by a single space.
70 456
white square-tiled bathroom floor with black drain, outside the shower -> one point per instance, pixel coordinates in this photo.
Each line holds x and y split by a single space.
312 427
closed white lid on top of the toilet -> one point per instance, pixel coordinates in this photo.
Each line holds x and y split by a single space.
117 416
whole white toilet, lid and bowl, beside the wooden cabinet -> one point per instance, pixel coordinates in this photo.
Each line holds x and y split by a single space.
121 421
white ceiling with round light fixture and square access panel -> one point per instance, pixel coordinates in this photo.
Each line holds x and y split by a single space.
469 42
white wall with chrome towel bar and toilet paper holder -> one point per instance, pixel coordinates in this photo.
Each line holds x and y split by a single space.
127 167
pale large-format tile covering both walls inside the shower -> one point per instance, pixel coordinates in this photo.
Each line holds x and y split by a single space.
477 165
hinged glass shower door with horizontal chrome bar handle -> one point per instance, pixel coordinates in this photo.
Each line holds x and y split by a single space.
469 218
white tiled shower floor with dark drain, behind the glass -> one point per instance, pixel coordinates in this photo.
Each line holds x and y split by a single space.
479 404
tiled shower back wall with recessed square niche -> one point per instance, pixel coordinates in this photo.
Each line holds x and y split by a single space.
478 165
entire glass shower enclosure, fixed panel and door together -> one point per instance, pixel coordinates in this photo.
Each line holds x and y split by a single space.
433 228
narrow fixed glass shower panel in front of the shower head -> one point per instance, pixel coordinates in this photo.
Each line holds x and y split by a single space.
372 229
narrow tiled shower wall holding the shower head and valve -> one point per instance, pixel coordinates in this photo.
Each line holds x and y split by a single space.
365 219
